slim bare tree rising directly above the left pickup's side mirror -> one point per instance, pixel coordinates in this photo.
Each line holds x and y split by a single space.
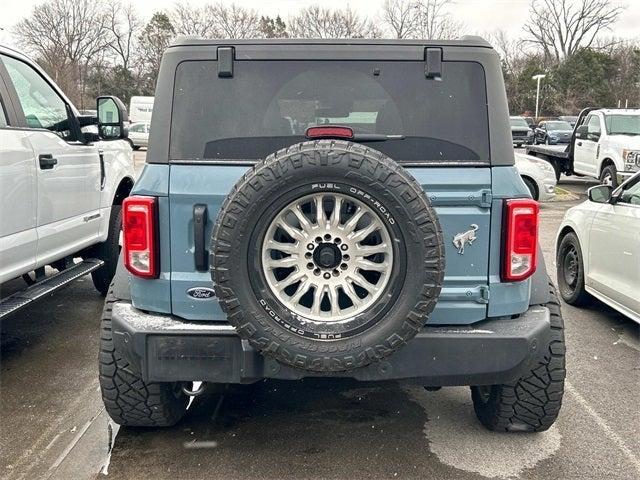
123 24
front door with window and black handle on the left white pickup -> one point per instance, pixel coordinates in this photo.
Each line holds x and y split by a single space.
68 172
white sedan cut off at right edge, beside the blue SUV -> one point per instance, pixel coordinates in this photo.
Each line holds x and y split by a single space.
598 249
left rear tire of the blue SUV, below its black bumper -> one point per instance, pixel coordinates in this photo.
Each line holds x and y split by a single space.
127 398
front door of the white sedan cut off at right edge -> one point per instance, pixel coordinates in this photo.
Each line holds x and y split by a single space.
614 250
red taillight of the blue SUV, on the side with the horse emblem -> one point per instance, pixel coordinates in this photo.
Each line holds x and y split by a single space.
520 254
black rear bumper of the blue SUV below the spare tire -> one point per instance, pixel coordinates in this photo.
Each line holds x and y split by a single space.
166 349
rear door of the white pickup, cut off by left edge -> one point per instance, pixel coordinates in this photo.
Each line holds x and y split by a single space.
18 238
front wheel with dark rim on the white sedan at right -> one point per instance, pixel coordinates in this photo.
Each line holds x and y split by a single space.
570 270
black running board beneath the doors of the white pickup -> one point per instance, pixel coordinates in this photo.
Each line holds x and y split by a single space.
25 297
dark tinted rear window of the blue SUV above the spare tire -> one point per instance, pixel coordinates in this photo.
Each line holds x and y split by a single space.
268 105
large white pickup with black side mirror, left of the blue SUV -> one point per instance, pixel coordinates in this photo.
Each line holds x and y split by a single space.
63 177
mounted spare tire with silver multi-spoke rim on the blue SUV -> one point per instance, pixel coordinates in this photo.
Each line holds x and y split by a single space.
327 256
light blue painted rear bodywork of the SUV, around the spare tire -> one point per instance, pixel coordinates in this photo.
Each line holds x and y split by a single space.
461 196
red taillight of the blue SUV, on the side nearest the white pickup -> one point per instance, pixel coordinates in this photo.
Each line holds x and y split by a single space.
139 236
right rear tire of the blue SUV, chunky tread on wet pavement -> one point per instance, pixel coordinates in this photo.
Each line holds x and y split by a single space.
531 403
